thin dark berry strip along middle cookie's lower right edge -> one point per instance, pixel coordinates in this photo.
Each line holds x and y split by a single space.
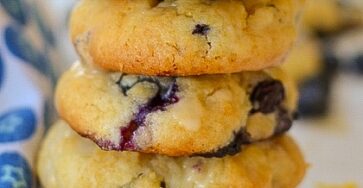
234 147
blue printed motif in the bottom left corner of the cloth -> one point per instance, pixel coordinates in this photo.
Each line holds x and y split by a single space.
14 171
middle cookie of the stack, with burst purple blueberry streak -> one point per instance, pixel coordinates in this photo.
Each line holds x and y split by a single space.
210 115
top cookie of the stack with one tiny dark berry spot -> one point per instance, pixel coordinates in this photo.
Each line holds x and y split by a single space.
184 37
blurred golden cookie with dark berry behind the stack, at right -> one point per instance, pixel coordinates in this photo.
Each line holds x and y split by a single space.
313 66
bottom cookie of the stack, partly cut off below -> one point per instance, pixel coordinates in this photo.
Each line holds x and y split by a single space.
68 160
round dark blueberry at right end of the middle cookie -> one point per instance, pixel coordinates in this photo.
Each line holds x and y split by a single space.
267 95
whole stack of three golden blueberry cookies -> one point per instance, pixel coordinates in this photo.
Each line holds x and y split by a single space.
182 91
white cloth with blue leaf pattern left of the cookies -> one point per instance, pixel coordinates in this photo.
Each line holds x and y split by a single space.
27 78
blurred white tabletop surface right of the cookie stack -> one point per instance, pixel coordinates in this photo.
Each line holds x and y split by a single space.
333 146
